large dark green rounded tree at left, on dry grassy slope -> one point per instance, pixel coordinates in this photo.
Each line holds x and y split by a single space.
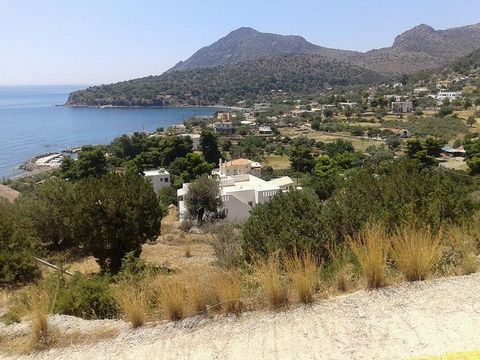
115 215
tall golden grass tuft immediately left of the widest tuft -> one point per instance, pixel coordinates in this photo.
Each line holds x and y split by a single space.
370 247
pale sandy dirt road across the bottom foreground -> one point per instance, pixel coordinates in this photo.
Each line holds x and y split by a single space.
399 322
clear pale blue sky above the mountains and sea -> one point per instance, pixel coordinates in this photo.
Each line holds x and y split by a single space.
104 41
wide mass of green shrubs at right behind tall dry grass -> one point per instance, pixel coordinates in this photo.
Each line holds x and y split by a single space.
405 193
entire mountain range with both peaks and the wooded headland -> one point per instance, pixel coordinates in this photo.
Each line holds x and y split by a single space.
247 64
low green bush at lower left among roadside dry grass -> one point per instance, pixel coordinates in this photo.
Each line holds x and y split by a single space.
89 298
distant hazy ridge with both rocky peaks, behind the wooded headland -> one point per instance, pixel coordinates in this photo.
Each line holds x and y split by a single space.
418 48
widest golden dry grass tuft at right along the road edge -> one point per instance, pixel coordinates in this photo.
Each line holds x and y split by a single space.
415 252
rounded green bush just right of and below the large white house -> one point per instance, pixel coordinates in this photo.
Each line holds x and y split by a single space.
289 222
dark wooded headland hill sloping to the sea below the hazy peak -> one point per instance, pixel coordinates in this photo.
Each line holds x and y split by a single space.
296 74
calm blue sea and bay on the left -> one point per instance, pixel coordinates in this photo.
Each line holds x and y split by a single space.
31 125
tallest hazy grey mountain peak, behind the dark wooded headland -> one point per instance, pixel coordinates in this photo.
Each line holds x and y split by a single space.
246 44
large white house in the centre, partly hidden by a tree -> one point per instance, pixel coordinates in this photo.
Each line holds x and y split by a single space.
240 193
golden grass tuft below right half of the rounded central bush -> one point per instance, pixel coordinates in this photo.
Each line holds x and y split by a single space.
303 274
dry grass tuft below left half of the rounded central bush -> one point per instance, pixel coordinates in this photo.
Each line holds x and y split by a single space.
268 274
